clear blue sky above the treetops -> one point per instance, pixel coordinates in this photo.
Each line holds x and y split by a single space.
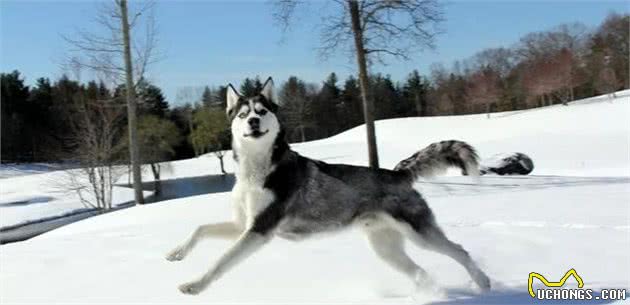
216 42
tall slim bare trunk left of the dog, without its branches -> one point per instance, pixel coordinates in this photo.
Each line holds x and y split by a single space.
134 150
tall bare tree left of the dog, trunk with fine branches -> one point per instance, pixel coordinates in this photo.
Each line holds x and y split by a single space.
112 54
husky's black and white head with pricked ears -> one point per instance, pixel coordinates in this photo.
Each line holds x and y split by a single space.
253 119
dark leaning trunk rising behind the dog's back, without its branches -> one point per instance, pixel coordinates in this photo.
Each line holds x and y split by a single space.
368 106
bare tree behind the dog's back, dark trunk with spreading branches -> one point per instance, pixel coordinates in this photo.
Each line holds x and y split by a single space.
373 30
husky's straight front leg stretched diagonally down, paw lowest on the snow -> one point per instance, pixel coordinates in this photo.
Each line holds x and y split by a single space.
247 244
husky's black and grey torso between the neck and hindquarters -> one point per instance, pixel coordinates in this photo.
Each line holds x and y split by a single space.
321 197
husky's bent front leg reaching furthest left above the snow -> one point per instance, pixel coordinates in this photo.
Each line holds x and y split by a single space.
225 230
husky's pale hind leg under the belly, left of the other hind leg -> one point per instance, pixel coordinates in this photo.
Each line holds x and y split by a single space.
388 244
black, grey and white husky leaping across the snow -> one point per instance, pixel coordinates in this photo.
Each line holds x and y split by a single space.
281 193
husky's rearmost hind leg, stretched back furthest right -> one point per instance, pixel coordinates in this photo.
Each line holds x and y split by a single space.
431 237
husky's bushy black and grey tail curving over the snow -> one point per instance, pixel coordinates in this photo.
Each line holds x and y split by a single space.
437 157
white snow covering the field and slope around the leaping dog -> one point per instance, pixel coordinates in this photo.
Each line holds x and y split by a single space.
571 212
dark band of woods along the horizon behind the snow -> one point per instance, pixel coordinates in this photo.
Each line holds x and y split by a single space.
39 122
